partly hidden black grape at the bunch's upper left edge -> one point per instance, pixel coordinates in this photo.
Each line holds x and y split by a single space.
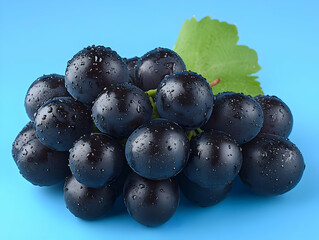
42 90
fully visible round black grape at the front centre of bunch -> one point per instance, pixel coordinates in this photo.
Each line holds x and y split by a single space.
157 150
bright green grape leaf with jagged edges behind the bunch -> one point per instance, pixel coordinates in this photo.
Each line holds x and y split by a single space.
209 47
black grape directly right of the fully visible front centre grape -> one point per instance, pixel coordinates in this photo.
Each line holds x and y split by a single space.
214 161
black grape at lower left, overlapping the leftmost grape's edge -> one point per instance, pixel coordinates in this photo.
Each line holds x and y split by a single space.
41 165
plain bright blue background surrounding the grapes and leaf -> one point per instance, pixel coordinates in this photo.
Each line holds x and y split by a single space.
38 37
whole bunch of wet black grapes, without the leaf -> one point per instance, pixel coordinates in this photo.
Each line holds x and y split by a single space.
146 127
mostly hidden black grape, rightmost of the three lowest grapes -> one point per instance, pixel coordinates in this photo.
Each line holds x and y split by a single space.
203 197
